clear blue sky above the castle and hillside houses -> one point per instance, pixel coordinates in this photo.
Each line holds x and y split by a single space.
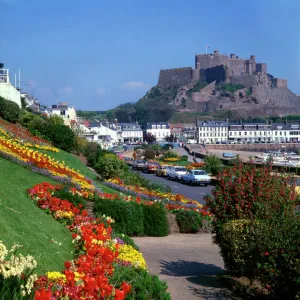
97 54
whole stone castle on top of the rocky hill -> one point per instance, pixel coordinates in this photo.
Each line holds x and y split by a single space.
221 69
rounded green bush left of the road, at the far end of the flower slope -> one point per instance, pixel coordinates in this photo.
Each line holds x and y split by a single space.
109 165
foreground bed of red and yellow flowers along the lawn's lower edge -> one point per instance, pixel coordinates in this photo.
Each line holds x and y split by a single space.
87 277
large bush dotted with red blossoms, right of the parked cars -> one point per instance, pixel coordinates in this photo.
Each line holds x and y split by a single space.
248 192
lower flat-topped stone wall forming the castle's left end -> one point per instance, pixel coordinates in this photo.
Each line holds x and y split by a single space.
175 77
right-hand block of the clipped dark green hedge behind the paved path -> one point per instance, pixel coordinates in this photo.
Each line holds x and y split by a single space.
155 220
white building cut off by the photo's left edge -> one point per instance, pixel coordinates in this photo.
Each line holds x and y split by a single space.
7 90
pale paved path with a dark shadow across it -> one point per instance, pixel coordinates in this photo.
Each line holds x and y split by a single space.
188 262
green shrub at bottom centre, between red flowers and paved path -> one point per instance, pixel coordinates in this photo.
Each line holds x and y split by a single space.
144 285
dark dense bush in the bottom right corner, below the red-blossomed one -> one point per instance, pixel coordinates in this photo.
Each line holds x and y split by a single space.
265 250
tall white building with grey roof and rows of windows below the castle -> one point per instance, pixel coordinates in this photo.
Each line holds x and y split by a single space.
212 131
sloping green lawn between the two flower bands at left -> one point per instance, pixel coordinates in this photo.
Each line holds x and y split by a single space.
24 223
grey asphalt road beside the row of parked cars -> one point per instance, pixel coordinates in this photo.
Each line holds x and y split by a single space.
193 192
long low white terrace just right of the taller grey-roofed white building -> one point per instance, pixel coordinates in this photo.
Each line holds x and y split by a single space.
254 132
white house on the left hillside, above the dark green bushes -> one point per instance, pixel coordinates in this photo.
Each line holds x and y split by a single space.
66 112
